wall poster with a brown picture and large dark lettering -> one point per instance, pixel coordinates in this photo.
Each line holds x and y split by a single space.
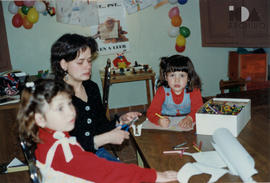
111 32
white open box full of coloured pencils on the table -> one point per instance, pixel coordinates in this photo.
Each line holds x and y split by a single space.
230 113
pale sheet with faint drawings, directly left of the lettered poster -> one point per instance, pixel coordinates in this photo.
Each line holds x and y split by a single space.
83 13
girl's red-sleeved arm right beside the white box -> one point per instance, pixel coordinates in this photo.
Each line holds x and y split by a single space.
196 103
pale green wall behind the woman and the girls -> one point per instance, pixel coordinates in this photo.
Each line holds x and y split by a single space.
30 49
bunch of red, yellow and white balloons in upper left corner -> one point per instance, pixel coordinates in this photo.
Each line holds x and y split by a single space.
26 13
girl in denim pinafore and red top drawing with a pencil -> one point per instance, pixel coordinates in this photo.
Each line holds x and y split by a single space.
178 92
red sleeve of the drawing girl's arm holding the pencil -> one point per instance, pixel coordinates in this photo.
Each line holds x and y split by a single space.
156 106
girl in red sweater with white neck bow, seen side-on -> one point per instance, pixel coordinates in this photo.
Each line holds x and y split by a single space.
46 115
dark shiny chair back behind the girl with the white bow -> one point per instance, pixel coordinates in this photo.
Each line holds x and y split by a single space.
31 160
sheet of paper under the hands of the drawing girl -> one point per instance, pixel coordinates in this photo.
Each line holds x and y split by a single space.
173 125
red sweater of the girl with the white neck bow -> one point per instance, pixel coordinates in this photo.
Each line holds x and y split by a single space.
87 165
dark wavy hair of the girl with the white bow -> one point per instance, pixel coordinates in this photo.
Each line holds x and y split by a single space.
34 96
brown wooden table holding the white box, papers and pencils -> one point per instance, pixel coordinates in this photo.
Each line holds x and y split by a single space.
255 138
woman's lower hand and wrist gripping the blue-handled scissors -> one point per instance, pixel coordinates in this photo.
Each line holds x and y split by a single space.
115 136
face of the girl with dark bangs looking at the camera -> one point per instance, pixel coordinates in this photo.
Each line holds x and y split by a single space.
177 81
